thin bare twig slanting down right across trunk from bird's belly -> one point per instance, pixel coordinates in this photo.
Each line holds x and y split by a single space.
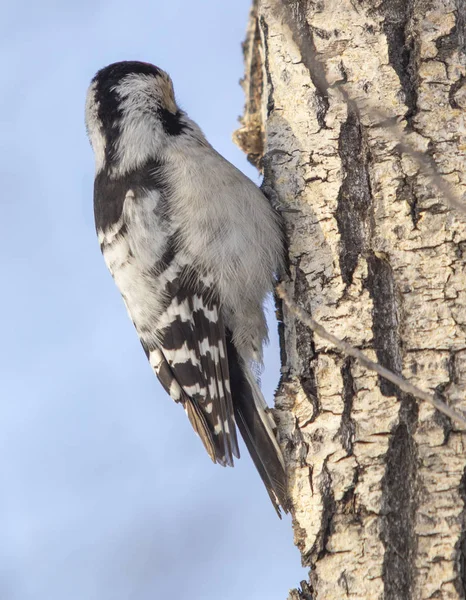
404 385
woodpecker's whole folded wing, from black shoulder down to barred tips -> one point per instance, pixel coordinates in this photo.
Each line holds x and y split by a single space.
174 308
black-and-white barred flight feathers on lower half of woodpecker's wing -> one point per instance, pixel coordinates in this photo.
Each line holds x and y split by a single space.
190 359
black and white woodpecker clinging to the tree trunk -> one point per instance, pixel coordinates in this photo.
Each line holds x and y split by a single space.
194 247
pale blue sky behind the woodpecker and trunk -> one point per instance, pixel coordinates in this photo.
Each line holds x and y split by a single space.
106 493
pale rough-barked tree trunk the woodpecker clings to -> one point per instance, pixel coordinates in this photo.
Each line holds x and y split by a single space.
377 481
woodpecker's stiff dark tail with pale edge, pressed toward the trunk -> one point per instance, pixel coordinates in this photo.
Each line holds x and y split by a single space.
256 427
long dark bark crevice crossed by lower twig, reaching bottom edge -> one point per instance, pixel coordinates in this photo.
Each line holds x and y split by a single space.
399 494
